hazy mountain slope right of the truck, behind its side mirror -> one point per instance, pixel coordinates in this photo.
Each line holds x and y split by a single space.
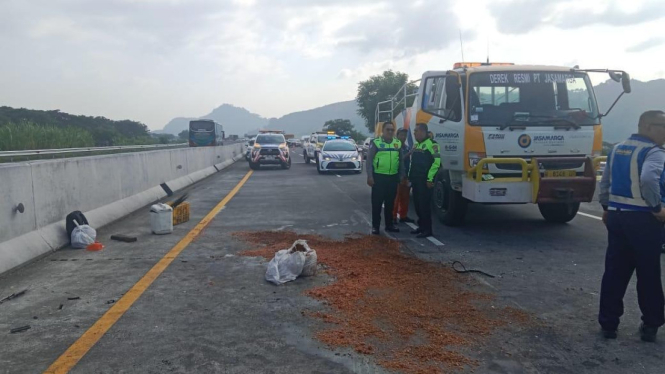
622 121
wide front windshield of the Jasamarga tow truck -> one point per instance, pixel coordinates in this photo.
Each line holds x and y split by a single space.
527 98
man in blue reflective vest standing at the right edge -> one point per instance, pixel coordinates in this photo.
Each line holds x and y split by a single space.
631 198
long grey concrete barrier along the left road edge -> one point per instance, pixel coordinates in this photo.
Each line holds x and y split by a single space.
105 188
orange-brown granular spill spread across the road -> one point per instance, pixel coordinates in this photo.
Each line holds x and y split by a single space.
412 316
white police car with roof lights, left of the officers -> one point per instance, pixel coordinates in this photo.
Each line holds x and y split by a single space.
338 155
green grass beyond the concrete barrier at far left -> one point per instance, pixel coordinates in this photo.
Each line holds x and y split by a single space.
28 135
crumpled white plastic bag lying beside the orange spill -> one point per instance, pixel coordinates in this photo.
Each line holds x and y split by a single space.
290 263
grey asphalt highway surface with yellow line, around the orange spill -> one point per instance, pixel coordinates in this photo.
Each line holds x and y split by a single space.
209 310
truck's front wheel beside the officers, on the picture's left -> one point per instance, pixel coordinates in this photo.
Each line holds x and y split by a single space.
450 206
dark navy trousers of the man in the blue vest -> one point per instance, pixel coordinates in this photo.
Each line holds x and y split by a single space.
634 242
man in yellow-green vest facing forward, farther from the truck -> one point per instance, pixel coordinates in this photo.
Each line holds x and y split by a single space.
385 170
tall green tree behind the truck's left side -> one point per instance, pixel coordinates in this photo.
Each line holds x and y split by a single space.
380 88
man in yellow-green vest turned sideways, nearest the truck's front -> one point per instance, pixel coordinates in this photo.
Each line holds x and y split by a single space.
425 163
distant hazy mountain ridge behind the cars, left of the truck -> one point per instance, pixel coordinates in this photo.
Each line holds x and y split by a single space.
239 121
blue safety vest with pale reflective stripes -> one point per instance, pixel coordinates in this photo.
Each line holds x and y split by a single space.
625 163
